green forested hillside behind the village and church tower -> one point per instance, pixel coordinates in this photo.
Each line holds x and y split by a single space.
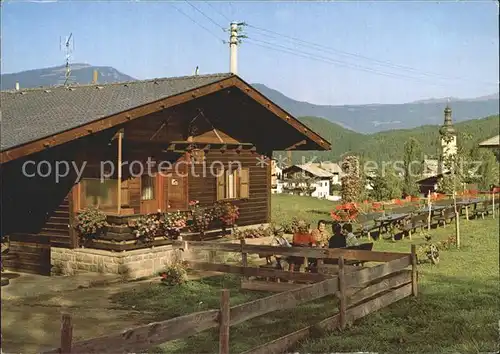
388 145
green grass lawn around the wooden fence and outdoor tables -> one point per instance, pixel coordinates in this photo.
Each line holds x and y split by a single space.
457 309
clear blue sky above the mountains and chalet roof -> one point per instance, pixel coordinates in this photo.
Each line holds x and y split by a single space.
397 51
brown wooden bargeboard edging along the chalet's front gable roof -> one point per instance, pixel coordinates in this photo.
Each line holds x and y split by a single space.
117 119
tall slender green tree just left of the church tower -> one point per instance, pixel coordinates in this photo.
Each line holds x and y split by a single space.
412 167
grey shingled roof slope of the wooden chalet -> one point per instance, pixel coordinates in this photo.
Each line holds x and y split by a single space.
33 114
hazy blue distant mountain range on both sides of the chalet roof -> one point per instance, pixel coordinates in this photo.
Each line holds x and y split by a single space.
367 119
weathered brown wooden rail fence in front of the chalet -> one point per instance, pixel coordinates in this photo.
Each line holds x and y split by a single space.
359 292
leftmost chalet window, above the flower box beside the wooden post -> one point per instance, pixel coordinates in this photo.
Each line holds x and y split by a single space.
103 195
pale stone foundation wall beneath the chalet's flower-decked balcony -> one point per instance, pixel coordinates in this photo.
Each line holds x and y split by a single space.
131 265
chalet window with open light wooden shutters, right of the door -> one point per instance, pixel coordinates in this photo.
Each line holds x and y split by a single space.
233 184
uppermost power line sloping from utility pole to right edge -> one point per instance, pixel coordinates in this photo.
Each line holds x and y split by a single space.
379 62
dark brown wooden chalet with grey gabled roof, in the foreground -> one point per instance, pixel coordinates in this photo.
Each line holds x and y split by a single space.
186 125
